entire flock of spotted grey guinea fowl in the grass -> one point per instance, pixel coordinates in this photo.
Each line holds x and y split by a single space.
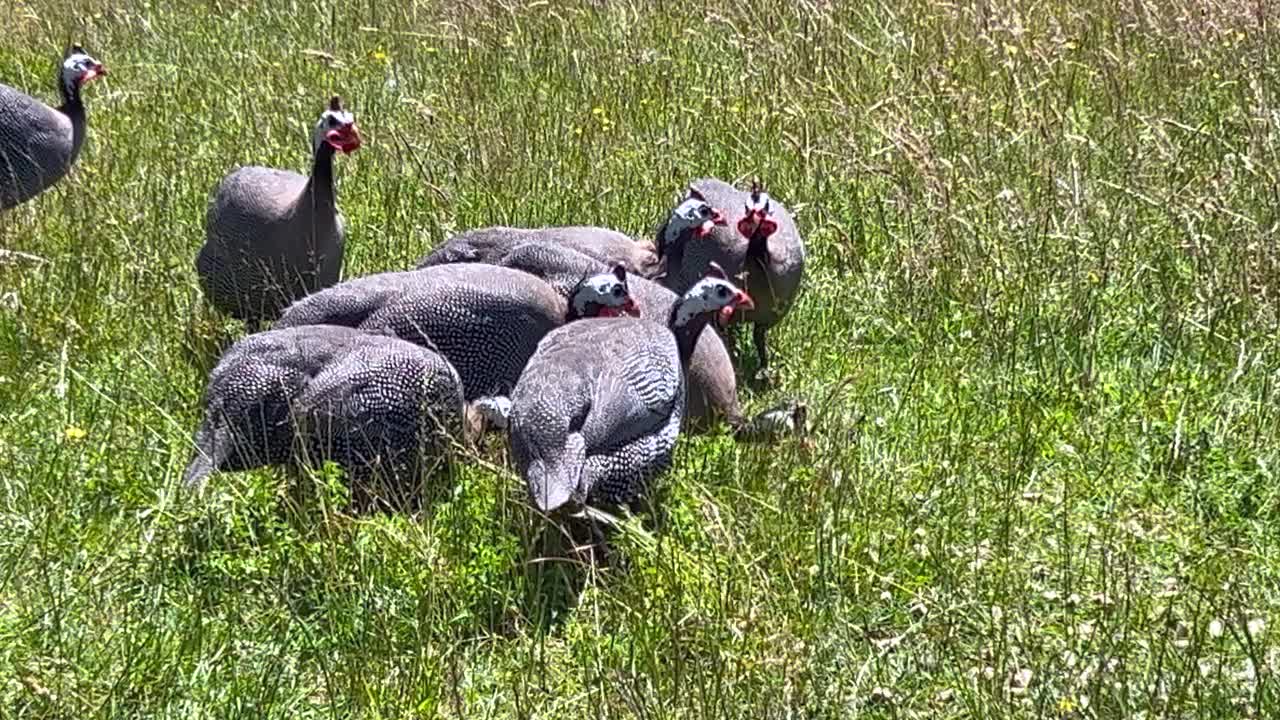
584 345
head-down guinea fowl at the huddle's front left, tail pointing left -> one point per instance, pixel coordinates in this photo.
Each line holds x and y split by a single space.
365 402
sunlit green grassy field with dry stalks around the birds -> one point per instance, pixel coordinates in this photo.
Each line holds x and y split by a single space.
1039 334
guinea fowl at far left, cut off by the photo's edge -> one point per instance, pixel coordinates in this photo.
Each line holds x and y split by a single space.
39 144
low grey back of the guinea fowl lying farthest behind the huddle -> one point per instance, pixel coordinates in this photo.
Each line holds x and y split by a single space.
487 245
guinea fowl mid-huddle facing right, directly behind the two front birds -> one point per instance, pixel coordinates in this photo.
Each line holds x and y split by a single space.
487 321
